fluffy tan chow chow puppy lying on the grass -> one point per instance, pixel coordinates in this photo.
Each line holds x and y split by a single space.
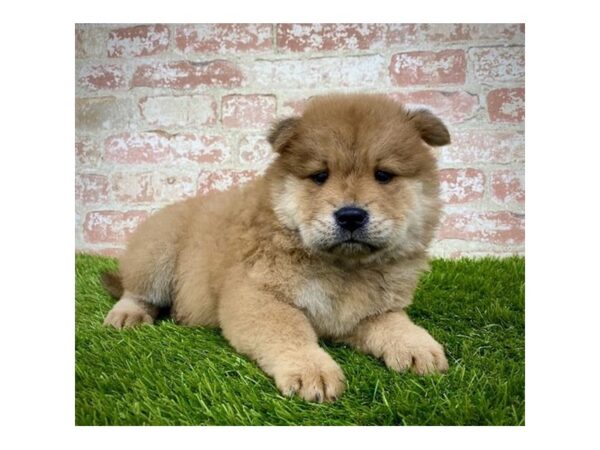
329 243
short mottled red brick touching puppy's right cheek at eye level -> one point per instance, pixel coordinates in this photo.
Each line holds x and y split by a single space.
461 185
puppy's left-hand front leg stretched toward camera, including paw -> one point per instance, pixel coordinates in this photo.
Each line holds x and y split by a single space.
281 340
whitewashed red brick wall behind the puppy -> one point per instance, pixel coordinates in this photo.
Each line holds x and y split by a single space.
165 111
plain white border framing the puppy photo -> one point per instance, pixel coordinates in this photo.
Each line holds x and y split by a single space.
38 207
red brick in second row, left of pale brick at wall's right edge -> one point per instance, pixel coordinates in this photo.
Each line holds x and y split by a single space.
413 68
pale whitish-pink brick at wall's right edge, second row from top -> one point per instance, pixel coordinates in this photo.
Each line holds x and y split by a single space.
495 64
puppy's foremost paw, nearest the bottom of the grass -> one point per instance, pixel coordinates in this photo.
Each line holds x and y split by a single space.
313 382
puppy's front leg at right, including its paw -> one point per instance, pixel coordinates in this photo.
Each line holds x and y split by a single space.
402 344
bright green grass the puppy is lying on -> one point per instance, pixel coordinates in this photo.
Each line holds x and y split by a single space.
171 375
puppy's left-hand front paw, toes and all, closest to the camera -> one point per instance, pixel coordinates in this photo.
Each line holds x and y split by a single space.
314 377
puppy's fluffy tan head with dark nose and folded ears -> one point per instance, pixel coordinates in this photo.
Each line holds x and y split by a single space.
355 176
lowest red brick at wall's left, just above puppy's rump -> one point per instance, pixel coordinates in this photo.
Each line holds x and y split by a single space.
111 226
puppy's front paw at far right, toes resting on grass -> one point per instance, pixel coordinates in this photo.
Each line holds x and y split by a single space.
416 350
